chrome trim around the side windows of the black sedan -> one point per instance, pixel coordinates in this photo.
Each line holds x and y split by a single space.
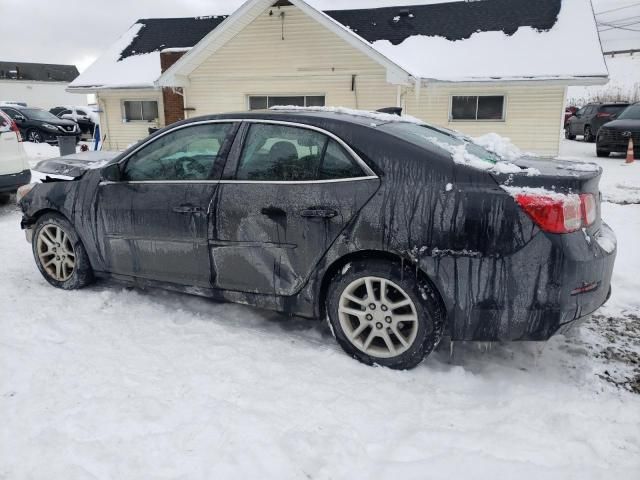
368 173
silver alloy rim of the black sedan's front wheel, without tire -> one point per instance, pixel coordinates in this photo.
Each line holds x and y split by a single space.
56 253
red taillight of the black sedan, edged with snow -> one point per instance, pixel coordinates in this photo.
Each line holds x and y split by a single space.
559 213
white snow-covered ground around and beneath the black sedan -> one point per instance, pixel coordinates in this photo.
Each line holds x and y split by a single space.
110 382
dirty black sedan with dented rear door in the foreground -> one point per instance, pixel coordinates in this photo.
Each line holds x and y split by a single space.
398 233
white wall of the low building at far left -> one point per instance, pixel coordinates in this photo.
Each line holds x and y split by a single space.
39 94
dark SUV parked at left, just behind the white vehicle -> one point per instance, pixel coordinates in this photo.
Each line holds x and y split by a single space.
37 125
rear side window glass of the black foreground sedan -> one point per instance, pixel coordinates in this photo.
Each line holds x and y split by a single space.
291 154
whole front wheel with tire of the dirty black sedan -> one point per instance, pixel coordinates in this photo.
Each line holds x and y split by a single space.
61 259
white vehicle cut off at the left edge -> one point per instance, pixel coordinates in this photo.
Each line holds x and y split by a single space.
14 167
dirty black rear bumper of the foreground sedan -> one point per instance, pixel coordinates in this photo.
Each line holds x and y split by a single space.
550 285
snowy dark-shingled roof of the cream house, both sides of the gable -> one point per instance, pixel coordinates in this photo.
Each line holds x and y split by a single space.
440 40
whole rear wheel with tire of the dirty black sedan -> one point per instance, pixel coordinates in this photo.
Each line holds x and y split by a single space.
365 336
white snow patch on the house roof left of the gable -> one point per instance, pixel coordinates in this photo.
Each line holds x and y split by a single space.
137 71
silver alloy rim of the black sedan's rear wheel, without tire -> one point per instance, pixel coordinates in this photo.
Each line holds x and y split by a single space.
378 317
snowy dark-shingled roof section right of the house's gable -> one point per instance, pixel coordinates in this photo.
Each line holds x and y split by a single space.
484 41
